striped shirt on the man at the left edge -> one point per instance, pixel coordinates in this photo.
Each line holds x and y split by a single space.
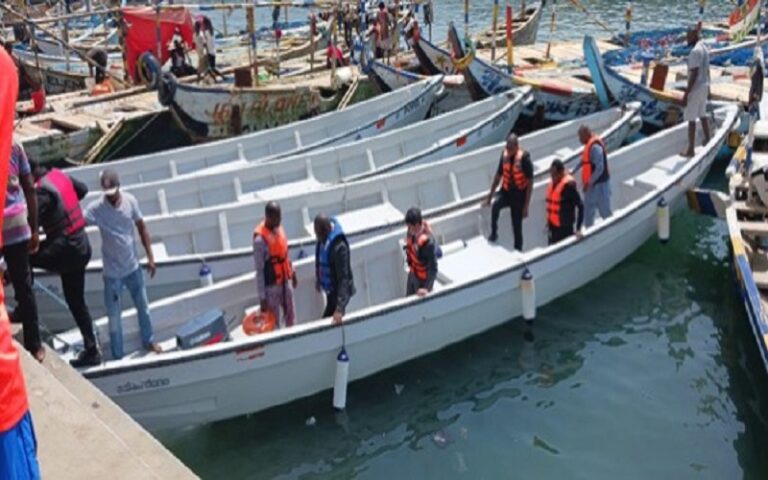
15 225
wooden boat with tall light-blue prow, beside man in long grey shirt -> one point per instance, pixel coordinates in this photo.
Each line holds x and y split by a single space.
660 108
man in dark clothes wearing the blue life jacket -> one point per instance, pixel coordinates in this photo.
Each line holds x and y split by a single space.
333 268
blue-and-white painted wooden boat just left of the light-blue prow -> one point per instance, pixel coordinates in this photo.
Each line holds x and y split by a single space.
556 100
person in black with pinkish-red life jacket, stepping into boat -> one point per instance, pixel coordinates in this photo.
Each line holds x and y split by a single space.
66 249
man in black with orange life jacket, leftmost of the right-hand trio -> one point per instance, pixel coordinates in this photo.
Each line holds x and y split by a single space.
515 174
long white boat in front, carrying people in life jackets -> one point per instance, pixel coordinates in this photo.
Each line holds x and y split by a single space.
480 285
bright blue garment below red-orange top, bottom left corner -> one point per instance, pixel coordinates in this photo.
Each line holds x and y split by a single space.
18 452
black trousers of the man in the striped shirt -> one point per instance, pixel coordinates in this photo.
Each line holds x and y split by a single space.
17 259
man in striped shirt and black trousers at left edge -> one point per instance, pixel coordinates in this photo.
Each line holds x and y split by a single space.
20 239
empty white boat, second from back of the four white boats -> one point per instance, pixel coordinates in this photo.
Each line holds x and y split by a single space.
477 125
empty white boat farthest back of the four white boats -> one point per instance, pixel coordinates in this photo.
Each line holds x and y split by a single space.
362 120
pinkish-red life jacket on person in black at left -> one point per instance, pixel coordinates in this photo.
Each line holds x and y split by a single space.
68 217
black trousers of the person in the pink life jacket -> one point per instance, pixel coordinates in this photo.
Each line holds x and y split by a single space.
58 255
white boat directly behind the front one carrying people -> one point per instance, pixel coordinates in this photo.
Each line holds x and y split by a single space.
220 237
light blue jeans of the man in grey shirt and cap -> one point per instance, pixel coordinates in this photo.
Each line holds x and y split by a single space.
113 292
